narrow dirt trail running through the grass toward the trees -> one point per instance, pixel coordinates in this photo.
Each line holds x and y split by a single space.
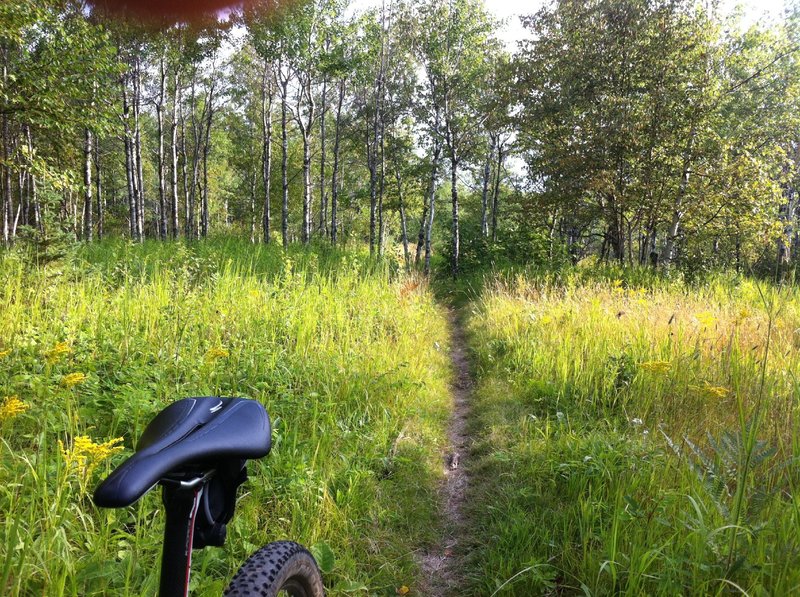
442 564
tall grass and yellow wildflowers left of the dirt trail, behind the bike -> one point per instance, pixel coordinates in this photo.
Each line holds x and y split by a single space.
351 366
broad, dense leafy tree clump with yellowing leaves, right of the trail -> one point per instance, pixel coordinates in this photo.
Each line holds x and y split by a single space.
644 120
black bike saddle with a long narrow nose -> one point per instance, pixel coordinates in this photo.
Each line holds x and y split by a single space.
193 433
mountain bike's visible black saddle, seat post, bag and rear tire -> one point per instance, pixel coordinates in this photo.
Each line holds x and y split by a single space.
197 449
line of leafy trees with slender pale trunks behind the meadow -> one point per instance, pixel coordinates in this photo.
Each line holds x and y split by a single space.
643 131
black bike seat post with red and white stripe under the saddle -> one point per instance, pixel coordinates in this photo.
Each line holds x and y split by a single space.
180 504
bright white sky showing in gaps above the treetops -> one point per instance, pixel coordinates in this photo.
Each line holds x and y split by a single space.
508 10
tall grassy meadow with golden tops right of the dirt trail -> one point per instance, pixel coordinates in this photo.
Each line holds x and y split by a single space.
635 439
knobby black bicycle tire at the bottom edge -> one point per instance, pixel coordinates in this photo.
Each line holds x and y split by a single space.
279 566
